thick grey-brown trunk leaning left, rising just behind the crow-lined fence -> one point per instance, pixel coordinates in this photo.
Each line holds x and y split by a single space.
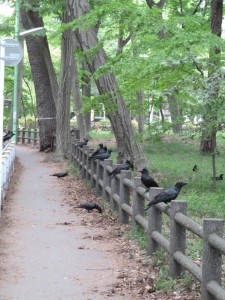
107 85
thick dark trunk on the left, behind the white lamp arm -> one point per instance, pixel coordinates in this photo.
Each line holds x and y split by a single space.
42 83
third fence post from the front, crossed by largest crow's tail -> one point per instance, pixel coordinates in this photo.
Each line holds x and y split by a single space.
154 222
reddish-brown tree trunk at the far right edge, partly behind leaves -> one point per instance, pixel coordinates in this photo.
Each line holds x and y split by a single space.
208 142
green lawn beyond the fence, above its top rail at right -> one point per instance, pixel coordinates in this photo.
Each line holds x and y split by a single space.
172 160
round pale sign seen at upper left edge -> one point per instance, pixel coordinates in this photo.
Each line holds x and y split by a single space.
13 52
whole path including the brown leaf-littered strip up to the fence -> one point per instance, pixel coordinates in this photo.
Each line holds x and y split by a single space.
51 251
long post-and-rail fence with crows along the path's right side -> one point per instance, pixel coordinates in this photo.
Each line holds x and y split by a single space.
127 196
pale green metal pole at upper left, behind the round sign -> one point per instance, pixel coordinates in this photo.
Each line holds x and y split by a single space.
15 88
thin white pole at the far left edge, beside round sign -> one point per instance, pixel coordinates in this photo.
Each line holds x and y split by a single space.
2 80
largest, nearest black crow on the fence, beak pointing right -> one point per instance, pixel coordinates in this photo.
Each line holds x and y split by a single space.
167 195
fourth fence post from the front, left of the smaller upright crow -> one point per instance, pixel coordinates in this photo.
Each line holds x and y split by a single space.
138 200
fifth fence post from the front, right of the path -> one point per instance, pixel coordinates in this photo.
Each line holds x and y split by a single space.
124 194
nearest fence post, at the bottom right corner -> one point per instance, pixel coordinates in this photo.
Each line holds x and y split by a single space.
212 258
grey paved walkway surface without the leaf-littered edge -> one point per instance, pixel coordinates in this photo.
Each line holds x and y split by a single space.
41 257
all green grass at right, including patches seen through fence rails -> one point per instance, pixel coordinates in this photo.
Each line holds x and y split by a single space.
171 159
